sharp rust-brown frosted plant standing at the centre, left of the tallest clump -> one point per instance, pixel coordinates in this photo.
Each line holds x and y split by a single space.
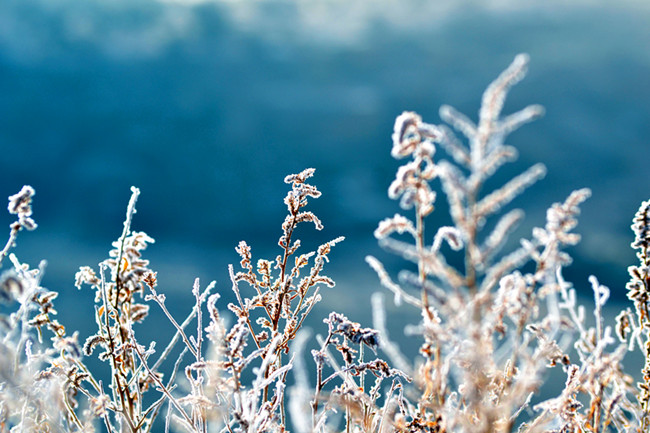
279 304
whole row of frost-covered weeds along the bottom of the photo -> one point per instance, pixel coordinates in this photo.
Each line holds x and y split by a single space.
492 329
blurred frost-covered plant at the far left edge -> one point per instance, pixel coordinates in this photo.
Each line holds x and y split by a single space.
34 394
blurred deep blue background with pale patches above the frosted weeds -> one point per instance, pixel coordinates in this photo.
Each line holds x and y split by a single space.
207 105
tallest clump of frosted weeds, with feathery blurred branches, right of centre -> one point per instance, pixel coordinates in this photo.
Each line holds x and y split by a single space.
489 329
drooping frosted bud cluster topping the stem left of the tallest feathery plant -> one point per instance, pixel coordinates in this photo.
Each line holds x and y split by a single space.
412 137
